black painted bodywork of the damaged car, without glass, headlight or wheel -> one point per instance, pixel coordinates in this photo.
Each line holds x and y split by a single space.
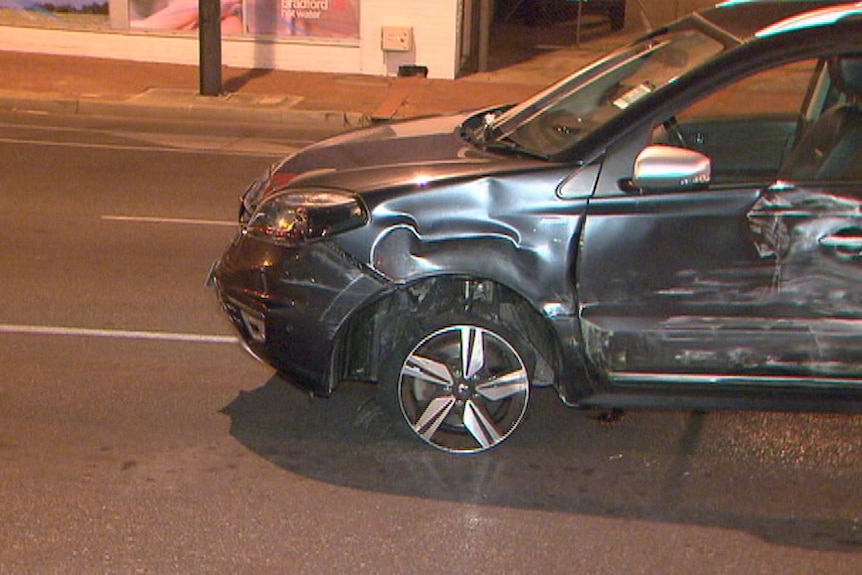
441 207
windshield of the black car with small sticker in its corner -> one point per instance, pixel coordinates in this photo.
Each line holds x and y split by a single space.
556 118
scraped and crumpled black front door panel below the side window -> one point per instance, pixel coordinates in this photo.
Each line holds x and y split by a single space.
725 286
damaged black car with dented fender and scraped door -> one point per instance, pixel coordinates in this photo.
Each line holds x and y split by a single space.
676 225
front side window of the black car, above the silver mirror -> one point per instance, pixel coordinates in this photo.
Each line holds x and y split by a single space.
746 128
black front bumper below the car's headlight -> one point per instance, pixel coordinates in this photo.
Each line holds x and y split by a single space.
288 303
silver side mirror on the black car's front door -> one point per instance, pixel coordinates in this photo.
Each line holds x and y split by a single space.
668 168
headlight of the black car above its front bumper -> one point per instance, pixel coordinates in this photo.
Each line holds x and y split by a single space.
298 216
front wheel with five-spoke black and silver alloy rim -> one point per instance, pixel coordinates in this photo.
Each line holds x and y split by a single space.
462 388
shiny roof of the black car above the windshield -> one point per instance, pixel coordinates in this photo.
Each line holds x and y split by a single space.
745 19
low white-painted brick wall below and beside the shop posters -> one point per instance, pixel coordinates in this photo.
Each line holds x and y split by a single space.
435 43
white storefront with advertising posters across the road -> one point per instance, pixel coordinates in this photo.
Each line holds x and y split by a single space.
375 37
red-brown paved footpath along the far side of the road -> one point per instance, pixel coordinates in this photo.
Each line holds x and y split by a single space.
68 84
